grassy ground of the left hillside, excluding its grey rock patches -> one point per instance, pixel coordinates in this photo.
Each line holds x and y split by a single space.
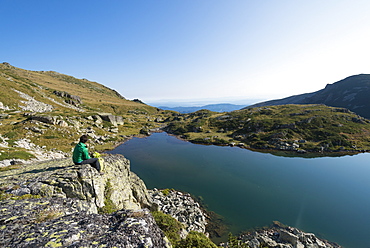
95 97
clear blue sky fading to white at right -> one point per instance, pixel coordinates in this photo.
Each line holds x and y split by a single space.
191 49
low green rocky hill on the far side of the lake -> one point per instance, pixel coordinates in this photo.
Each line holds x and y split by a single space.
300 128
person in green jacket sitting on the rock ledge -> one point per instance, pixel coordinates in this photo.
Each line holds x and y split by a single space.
81 154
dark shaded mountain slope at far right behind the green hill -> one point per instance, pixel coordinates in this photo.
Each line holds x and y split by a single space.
352 93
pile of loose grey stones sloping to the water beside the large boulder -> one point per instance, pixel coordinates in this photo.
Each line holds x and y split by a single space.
182 207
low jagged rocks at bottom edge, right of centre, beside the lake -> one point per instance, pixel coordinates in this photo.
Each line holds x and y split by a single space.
281 236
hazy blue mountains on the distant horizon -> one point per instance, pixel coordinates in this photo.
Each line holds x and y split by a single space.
222 107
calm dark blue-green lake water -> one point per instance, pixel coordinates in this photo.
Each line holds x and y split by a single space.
328 196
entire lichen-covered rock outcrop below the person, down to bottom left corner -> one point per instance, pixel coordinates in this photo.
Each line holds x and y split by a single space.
67 214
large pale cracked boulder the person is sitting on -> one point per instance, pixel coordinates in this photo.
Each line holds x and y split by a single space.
63 179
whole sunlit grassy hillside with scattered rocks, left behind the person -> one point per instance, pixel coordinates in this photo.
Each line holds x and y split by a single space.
42 114
